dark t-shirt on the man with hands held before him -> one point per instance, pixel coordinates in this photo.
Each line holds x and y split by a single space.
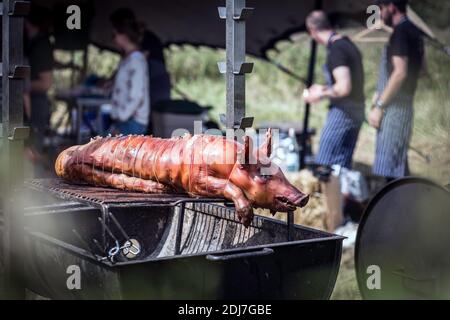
343 52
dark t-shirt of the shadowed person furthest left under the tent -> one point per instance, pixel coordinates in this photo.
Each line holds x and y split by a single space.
40 55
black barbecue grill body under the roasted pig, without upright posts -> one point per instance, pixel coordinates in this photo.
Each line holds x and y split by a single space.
133 245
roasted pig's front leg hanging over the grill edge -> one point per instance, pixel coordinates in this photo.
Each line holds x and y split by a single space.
226 189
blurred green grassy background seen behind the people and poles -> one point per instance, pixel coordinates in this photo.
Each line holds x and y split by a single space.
271 95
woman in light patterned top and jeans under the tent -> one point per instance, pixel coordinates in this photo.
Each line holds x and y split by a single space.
131 92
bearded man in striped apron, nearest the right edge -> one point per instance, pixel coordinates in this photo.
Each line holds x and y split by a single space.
392 113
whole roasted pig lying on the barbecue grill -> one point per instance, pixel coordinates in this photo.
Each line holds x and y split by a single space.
200 165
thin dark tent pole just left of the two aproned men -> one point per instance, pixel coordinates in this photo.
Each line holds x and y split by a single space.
309 82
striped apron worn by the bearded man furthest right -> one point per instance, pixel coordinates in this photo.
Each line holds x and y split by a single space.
394 134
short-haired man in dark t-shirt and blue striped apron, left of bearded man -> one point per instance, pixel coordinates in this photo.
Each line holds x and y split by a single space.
345 83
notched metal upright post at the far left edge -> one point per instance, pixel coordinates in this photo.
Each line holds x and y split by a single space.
13 133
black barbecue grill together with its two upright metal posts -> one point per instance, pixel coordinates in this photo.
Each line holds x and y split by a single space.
134 245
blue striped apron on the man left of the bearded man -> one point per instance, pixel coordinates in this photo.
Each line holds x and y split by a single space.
340 133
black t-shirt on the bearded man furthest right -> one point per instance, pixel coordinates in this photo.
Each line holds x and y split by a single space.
407 41
